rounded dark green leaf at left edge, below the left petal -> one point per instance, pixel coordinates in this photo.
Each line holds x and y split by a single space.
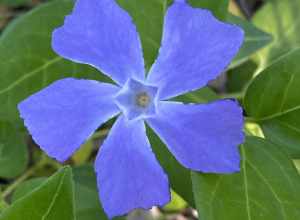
13 151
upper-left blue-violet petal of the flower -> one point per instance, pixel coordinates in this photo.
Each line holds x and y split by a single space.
101 34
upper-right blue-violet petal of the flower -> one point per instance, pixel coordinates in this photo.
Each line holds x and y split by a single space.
196 48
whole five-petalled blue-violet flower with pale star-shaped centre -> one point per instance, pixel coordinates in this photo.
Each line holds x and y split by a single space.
196 48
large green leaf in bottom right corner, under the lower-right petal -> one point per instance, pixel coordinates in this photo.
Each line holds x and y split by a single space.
267 188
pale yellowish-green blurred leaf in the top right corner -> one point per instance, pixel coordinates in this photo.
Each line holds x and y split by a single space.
281 19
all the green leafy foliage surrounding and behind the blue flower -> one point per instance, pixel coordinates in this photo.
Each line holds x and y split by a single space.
264 77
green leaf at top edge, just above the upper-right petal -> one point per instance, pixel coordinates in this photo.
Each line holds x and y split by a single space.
218 7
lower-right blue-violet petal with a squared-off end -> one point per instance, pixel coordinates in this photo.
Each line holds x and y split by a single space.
202 137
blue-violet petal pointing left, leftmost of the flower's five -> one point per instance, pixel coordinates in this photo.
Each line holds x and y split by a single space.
63 115
